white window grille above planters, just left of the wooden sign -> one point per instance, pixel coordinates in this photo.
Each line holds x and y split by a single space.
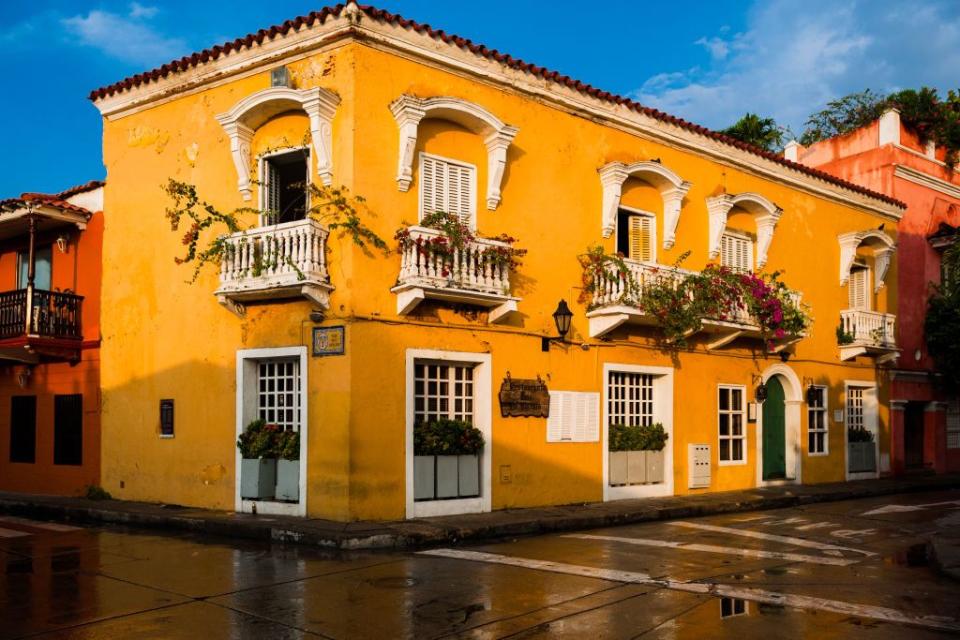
442 391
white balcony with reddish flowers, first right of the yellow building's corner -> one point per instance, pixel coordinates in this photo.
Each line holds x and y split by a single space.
467 277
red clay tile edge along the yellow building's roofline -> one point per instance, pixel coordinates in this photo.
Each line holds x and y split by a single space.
382 15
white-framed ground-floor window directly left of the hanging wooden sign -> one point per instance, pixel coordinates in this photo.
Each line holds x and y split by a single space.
457 386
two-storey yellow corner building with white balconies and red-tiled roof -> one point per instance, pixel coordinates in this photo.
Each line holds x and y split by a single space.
417 121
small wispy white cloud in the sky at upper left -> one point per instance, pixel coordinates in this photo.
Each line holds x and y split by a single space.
129 38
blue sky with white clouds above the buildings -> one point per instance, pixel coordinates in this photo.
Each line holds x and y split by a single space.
707 61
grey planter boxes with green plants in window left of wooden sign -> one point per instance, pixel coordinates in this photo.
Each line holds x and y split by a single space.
446 462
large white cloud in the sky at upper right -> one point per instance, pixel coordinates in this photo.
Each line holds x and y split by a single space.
794 57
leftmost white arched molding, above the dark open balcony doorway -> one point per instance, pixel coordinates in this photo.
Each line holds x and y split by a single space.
243 119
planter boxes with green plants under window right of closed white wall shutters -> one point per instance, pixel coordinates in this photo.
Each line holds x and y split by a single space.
636 454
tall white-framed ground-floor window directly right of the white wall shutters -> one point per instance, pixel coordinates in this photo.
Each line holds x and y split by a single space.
635 395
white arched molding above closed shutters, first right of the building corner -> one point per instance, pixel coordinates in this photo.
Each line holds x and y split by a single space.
409 111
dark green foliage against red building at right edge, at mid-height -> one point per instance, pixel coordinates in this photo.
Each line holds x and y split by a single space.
942 324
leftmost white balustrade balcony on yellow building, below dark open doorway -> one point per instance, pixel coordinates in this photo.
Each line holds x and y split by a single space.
273 263
